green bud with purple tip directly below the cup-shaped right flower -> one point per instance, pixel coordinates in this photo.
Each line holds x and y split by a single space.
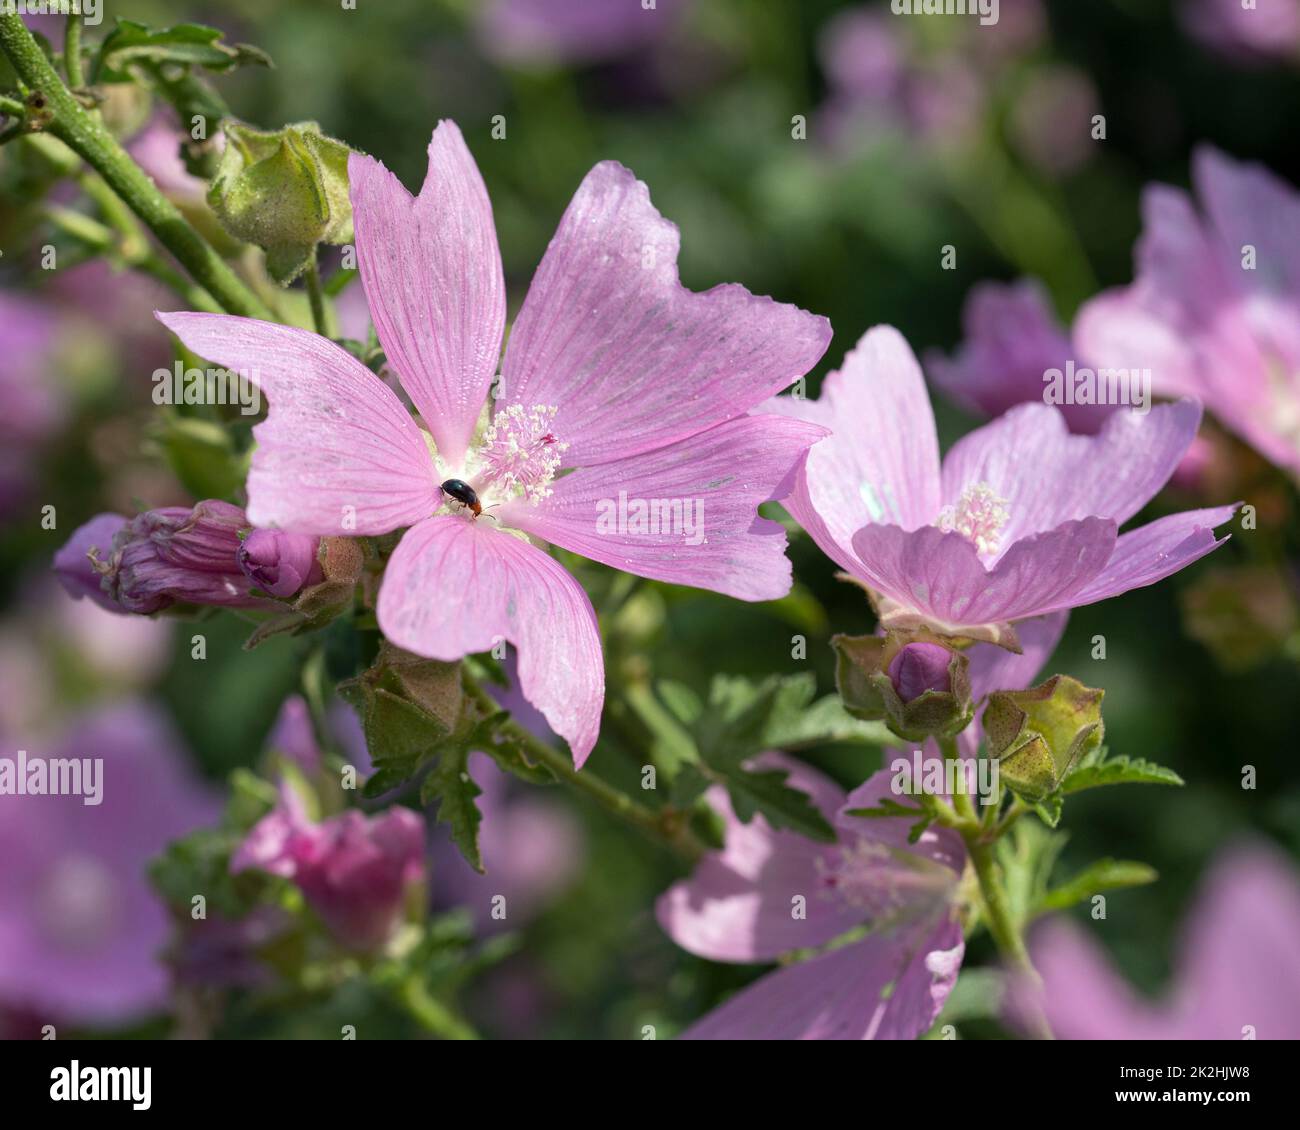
918 686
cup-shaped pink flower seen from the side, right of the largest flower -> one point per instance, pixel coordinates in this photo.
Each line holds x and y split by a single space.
1021 519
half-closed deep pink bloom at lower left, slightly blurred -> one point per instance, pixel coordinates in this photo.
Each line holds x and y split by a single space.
354 871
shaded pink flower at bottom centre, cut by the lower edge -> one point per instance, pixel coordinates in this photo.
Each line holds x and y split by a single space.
772 891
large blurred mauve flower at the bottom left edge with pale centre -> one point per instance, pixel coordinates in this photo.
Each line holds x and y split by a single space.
80 928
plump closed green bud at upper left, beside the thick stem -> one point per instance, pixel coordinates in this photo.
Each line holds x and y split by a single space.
285 191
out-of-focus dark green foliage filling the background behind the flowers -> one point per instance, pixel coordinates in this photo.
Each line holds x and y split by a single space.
848 223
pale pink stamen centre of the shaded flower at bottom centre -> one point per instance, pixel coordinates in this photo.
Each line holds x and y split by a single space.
883 882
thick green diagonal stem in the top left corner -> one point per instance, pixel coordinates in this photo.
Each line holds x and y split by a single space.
85 135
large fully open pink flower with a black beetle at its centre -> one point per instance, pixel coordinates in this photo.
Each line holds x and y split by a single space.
617 375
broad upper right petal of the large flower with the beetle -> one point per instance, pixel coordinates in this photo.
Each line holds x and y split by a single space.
630 358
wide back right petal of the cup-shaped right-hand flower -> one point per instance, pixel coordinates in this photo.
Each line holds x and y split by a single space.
1110 475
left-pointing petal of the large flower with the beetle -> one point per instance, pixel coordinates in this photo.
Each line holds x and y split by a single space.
337 453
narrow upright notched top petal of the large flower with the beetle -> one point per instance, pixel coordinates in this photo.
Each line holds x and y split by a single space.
432 274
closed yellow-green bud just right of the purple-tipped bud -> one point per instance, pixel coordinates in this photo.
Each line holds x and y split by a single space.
1039 735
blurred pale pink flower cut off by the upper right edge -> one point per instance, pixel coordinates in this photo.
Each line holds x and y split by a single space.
1215 311
